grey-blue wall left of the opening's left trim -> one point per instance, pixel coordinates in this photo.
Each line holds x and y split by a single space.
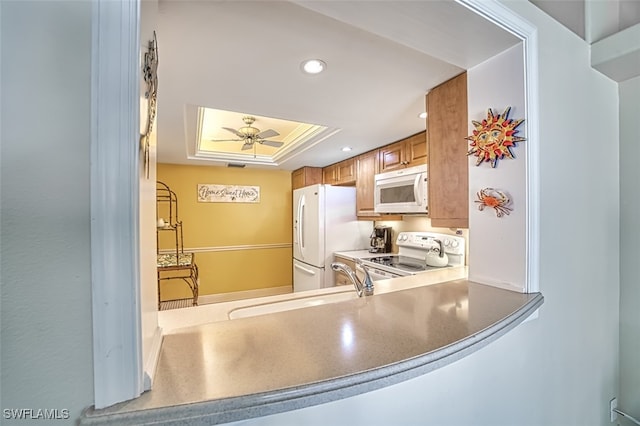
45 226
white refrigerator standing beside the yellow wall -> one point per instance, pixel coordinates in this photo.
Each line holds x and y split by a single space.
324 221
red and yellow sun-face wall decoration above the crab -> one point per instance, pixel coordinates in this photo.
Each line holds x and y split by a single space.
494 137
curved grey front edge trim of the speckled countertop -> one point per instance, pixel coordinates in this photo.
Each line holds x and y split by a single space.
282 400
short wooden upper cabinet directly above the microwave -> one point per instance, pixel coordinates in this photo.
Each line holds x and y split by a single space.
407 152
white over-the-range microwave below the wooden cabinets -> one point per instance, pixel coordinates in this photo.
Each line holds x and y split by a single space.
401 191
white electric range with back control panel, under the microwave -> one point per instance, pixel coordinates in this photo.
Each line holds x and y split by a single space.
412 253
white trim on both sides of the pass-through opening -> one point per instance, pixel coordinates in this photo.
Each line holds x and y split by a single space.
118 371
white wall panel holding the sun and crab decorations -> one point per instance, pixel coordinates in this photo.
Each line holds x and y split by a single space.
497 245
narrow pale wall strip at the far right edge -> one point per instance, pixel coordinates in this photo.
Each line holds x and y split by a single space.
629 395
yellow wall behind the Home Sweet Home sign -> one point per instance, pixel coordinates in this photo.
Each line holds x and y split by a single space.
211 227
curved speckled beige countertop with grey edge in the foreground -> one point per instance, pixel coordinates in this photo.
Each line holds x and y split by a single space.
231 370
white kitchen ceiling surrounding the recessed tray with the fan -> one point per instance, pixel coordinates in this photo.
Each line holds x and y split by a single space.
382 57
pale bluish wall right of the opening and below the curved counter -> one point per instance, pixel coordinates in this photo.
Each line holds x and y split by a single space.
560 369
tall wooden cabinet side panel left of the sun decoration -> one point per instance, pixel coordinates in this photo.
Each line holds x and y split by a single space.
448 171
